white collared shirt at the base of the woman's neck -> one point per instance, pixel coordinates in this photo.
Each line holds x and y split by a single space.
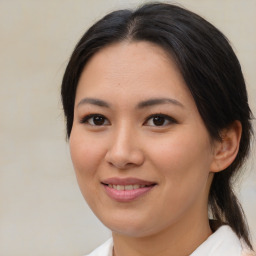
222 242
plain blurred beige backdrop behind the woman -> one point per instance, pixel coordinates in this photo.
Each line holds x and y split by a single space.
41 209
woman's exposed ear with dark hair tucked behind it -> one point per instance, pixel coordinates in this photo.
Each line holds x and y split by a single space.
226 149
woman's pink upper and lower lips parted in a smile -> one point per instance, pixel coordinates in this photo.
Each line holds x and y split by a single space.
127 195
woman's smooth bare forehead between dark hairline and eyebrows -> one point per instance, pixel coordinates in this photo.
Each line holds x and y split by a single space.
126 69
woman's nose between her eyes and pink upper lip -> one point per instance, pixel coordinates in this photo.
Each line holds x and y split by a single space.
124 151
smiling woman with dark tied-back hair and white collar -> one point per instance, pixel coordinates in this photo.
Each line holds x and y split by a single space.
159 124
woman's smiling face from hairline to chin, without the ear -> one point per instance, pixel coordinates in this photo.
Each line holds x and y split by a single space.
141 152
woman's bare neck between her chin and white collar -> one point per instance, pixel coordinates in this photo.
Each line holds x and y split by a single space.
181 239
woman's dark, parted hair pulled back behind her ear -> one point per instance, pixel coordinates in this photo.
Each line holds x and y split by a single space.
209 67
